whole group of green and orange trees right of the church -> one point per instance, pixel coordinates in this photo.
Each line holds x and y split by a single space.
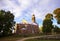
48 26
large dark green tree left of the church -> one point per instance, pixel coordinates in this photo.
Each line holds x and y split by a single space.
6 22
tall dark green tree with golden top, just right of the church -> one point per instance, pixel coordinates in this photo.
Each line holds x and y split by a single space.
47 23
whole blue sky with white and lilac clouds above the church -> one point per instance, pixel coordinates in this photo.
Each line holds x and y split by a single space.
24 9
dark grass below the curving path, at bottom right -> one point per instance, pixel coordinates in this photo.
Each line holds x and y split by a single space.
45 38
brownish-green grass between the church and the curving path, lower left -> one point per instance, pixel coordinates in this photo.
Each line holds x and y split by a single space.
15 37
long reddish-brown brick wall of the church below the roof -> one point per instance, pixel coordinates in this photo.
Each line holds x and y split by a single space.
28 29
